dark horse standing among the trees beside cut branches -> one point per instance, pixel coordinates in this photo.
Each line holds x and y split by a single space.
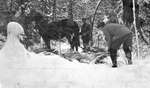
56 30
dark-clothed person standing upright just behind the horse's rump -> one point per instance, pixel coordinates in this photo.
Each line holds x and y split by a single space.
86 33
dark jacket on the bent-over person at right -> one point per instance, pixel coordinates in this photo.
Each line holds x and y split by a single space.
114 31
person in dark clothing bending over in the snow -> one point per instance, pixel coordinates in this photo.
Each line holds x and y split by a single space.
115 35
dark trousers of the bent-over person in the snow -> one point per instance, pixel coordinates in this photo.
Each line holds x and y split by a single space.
127 47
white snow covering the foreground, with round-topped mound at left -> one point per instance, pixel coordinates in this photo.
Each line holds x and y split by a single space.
22 69
